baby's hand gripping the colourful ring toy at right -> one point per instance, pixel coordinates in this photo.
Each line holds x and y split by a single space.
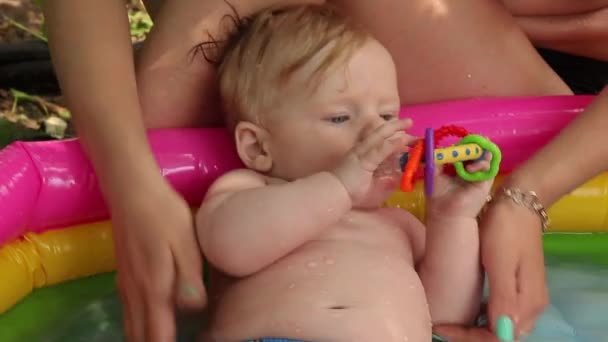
452 196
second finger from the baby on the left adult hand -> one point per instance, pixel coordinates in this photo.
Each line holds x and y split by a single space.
158 297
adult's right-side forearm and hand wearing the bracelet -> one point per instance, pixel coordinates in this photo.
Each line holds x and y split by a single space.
512 250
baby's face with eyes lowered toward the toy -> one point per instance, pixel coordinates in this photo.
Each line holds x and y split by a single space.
312 131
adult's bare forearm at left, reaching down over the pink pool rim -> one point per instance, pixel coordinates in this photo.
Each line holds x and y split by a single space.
92 55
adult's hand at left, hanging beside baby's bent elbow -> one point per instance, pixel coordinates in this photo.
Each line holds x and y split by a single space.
158 260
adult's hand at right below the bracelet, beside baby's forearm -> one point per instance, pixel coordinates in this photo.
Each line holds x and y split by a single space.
512 255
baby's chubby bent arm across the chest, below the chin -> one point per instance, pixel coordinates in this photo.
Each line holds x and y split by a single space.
245 224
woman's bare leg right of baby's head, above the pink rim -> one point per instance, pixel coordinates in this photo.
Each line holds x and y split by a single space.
456 49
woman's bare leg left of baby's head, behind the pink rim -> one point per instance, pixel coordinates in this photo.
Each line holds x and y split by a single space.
177 88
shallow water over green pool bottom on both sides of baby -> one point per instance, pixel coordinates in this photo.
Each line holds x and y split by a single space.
88 309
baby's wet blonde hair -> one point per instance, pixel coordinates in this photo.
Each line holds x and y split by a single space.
262 53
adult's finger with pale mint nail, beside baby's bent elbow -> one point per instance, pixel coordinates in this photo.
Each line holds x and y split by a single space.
190 290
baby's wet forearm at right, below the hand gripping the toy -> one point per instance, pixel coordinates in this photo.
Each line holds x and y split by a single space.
451 270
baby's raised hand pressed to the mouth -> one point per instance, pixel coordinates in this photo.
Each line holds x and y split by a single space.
357 169
